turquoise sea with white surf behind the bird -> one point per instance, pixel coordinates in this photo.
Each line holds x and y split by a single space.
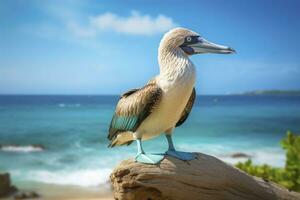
73 130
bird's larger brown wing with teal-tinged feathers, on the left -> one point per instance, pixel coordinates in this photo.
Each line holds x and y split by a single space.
133 108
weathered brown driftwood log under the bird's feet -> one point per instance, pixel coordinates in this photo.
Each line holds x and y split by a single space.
206 178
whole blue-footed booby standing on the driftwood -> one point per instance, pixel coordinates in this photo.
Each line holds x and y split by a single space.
165 102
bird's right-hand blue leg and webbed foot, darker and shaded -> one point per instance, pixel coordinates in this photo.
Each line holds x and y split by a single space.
178 154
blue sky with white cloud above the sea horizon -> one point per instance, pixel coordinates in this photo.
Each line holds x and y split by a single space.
107 47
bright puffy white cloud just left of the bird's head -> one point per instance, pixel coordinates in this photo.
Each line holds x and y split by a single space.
135 24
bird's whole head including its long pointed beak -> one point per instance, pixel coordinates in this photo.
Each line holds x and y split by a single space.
192 43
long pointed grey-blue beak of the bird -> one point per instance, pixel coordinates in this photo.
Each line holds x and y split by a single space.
204 46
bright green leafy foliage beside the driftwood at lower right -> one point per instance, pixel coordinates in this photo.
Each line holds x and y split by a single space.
289 176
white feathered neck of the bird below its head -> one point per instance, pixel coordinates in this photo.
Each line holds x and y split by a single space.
175 65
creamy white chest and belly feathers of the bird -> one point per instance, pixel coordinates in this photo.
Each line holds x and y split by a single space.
177 84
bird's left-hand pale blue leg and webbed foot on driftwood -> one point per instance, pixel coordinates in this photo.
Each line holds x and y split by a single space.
142 157
